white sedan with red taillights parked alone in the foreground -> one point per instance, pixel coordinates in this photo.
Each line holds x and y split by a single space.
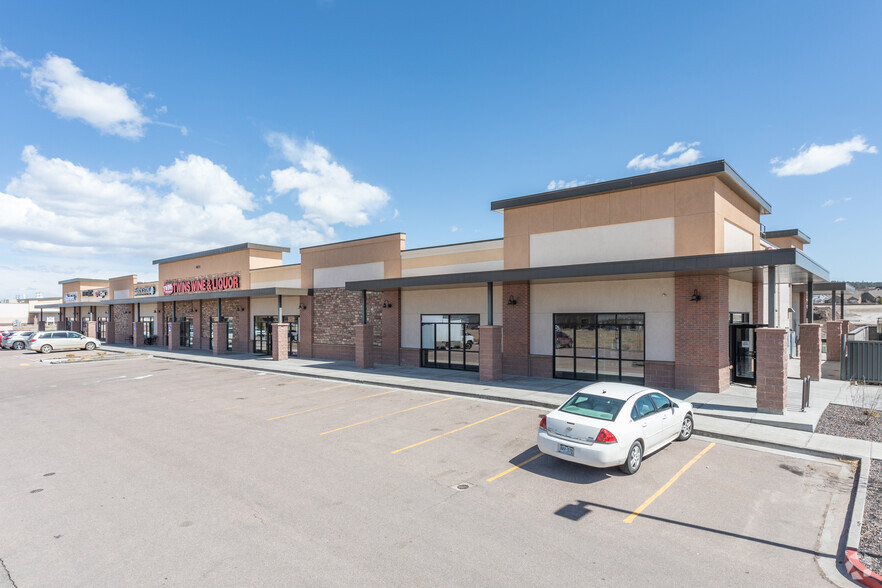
611 424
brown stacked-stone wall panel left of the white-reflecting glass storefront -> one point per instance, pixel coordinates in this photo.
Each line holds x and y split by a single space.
336 311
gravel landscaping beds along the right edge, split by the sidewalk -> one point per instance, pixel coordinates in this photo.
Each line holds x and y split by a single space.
844 421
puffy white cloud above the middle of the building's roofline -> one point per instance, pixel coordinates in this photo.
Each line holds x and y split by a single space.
326 190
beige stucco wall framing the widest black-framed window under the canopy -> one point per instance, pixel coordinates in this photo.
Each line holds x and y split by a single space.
654 298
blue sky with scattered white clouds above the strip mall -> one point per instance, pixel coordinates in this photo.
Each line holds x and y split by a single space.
130 133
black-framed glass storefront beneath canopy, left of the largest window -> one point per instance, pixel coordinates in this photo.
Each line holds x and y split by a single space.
450 341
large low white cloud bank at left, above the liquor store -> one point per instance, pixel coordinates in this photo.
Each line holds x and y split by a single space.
55 207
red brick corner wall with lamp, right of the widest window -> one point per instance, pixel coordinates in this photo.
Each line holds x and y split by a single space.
701 333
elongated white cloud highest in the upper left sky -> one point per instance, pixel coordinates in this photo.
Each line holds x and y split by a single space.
69 94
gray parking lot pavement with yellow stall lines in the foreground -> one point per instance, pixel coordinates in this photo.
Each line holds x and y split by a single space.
140 472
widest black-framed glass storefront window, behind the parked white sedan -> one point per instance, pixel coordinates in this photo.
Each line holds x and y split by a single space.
600 346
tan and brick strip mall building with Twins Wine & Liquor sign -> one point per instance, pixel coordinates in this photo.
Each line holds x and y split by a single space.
658 279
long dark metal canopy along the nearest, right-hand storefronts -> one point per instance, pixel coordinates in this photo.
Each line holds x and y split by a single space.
793 267
